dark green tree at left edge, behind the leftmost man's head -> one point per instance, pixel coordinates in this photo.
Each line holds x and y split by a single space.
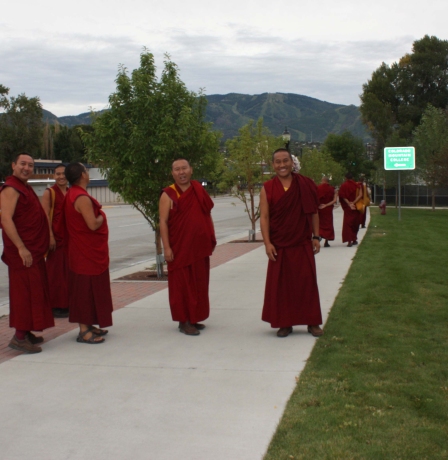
20 128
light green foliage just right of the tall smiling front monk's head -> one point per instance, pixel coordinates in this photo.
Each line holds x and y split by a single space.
318 163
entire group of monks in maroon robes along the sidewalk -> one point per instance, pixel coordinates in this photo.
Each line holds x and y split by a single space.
58 257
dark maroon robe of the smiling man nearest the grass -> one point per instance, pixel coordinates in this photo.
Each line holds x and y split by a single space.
291 294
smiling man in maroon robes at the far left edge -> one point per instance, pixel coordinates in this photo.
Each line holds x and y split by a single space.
26 239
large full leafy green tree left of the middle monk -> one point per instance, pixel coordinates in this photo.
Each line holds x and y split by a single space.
150 123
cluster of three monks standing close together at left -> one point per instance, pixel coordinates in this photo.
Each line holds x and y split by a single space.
57 255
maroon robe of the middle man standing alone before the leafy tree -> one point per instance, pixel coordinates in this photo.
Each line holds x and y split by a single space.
192 239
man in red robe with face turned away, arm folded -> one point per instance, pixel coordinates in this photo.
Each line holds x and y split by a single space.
85 224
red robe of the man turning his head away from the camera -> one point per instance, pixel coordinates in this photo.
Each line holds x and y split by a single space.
90 298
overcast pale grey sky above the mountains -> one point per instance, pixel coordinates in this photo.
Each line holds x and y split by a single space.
68 53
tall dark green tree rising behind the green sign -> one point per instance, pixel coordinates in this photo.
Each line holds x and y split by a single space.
399 94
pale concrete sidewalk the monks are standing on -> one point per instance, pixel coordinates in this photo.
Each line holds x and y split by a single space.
150 392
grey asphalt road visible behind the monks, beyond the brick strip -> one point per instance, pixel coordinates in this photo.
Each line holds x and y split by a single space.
131 239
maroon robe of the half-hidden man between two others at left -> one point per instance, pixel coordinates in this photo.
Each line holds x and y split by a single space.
57 261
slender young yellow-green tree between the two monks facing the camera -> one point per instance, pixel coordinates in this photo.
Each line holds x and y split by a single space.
248 160
